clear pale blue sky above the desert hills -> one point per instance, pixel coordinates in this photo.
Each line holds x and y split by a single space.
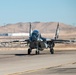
13 11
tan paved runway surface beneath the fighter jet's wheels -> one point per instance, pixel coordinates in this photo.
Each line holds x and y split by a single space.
19 63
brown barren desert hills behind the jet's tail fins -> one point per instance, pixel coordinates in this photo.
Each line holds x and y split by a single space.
43 27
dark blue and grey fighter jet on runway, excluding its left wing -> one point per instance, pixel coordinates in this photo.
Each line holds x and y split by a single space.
36 41
